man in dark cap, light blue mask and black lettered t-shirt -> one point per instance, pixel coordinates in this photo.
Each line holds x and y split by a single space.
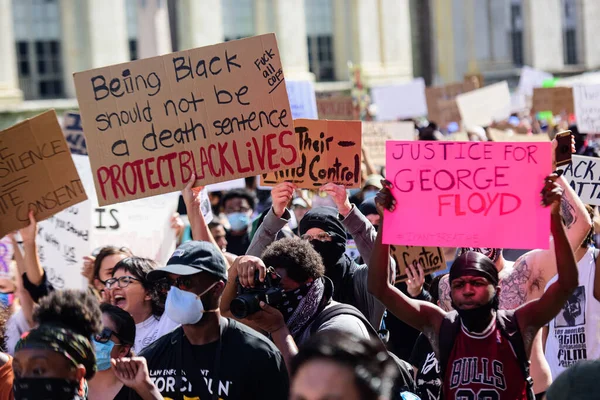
209 356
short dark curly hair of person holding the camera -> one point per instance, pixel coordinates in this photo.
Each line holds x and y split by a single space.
299 259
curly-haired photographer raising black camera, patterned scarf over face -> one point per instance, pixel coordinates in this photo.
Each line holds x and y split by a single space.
286 294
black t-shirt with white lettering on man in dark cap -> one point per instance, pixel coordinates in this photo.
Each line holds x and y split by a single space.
251 367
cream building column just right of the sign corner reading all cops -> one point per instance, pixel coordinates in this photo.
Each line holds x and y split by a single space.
290 28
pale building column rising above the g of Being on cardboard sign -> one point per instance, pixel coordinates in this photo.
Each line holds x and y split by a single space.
153 31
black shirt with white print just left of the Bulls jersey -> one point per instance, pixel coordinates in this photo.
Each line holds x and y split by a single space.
429 381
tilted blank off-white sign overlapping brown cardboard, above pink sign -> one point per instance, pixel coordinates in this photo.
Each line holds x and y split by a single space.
483 106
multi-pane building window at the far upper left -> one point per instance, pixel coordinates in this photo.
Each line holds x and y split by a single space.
37 39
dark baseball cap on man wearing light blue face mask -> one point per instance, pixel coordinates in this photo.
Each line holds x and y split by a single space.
191 258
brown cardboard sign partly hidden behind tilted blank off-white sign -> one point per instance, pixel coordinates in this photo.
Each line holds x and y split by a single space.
441 101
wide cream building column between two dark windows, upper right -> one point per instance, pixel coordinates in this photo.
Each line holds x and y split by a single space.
543 34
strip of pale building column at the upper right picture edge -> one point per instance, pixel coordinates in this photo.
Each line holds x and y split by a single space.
590 16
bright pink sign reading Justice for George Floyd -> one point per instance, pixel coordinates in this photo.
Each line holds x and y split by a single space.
468 194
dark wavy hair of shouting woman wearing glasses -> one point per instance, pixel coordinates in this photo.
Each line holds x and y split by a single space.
139 267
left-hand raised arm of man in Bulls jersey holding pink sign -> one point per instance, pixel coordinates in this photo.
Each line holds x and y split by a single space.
420 315
